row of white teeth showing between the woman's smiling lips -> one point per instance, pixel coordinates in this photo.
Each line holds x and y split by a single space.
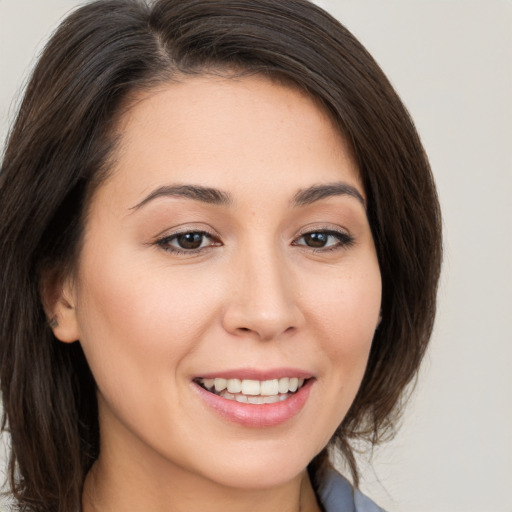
253 391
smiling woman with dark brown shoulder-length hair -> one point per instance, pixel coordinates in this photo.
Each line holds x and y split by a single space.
220 253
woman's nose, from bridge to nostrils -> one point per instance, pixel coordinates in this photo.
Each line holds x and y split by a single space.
264 298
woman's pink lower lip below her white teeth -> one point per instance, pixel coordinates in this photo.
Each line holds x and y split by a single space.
257 415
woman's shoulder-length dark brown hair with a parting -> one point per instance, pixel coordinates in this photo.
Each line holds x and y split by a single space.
58 152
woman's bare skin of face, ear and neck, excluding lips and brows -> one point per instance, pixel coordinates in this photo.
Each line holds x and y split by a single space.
255 295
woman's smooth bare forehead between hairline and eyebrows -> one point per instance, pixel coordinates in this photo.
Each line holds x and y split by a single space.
228 132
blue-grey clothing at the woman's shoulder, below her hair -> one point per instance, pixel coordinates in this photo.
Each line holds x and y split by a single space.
338 495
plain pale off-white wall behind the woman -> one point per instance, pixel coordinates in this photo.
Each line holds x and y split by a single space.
451 61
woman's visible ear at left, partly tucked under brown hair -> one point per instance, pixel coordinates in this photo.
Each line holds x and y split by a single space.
58 295
